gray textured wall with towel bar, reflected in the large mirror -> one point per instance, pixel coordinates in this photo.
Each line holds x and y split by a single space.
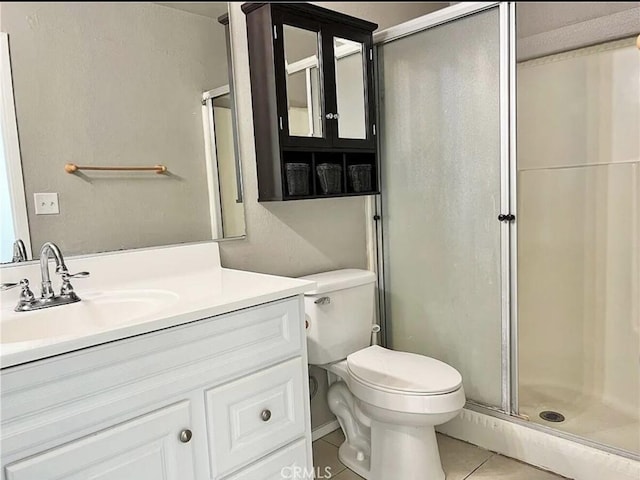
114 84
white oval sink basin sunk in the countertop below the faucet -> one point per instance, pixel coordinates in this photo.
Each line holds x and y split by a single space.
97 311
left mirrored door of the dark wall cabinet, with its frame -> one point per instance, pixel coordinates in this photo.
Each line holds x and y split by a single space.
300 81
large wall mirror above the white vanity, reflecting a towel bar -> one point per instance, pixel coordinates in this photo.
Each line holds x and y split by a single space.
122 85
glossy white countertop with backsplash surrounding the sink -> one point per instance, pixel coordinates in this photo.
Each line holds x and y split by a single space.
196 285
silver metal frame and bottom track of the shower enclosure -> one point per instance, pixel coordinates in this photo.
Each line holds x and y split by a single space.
508 203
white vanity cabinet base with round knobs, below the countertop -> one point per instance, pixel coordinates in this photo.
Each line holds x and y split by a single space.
220 397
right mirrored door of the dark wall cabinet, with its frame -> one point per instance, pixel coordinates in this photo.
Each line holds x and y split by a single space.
351 101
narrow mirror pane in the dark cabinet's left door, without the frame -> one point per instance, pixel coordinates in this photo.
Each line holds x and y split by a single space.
303 82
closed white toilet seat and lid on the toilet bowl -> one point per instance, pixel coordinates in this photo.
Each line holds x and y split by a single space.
402 372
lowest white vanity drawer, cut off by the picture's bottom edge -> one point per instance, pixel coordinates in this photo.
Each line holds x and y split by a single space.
291 462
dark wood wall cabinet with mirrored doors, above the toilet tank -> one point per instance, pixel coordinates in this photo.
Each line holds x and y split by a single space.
313 102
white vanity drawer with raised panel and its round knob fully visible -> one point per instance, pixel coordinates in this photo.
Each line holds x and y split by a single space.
258 414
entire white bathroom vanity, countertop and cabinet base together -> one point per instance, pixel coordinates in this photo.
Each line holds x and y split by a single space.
206 379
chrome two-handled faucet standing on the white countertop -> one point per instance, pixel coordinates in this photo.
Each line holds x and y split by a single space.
48 297
